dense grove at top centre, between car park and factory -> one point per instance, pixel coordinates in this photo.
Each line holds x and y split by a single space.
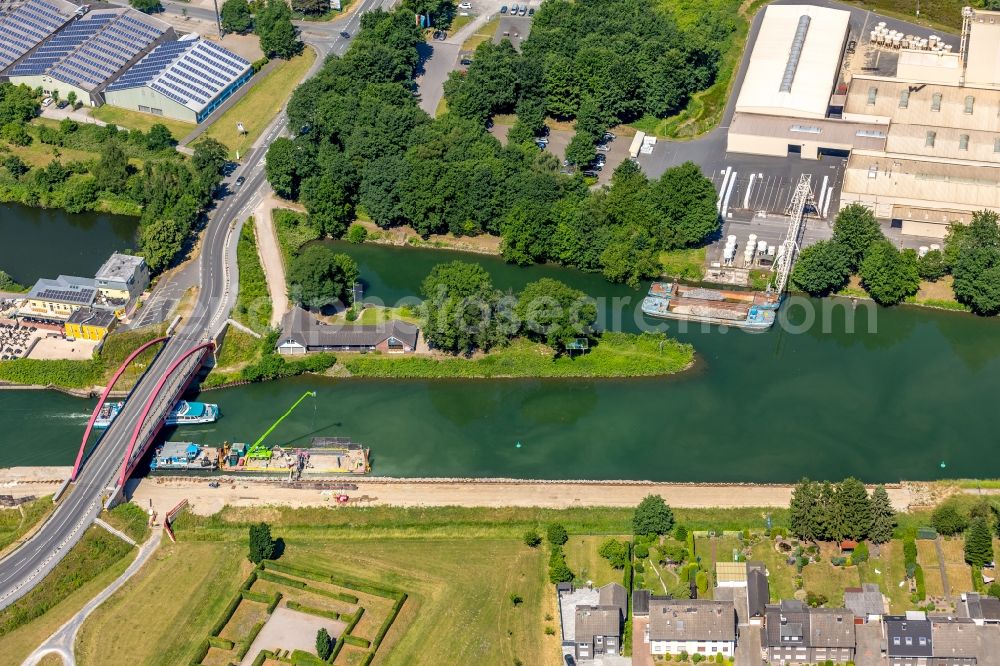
601 63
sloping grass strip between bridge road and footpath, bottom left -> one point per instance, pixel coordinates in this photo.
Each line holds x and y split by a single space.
97 560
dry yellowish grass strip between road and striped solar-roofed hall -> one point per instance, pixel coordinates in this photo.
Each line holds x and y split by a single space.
261 104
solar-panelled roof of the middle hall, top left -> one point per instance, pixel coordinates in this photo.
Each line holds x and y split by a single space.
93 50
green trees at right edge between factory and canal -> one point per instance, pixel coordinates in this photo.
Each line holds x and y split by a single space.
976 267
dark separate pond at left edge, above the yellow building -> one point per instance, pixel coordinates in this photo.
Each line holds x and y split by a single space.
36 242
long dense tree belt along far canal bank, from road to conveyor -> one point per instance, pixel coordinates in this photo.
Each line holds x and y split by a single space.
363 142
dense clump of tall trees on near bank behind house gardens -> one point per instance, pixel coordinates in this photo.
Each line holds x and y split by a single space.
832 512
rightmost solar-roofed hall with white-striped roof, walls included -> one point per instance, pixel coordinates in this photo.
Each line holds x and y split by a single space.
186 79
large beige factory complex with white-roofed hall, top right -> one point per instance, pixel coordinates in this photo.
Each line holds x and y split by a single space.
916 121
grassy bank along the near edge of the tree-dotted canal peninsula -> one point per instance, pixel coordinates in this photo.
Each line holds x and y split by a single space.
614 355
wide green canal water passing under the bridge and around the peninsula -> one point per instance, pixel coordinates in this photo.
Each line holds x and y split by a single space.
802 399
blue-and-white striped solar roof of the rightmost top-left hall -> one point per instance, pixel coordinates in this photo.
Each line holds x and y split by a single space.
190 72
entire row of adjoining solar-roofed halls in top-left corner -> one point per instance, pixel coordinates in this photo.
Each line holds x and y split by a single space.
108 54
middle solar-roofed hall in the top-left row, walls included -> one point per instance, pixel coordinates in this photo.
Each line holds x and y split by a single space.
85 56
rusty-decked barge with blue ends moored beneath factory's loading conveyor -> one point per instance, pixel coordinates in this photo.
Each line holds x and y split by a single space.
751 310
